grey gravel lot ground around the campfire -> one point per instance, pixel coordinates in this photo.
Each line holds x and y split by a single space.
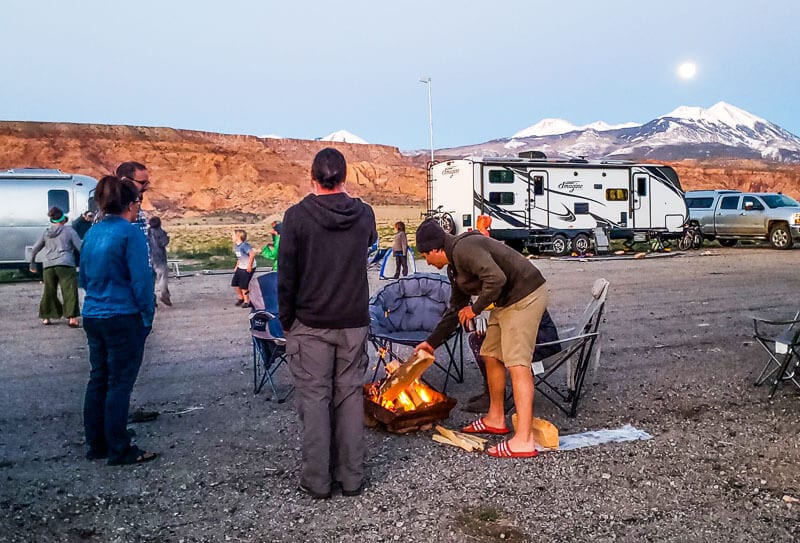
678 361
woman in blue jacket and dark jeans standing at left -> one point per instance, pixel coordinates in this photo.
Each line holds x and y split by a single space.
117 317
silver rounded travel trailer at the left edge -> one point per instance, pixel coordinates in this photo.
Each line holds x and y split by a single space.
25 197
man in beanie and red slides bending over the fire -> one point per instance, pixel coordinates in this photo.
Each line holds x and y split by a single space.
499 276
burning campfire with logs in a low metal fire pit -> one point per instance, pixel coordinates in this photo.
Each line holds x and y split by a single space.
403 403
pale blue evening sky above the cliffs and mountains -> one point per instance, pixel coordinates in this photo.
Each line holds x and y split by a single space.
303 69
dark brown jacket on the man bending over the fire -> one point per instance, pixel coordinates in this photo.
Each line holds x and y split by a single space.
486 268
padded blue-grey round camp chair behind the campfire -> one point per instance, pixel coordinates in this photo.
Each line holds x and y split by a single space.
405 312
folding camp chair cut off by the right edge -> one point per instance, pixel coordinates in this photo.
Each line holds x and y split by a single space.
781 341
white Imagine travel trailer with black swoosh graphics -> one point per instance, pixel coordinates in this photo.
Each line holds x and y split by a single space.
558 205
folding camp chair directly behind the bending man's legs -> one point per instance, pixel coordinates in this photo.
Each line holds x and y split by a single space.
560 377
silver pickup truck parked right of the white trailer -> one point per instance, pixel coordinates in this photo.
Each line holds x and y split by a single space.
729 216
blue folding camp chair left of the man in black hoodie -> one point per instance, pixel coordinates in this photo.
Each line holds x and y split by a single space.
269 343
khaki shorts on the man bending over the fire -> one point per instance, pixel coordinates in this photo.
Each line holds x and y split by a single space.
511 330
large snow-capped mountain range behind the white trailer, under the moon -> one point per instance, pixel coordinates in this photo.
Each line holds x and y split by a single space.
721 131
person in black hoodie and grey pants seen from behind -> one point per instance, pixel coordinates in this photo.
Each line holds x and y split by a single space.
323 305
